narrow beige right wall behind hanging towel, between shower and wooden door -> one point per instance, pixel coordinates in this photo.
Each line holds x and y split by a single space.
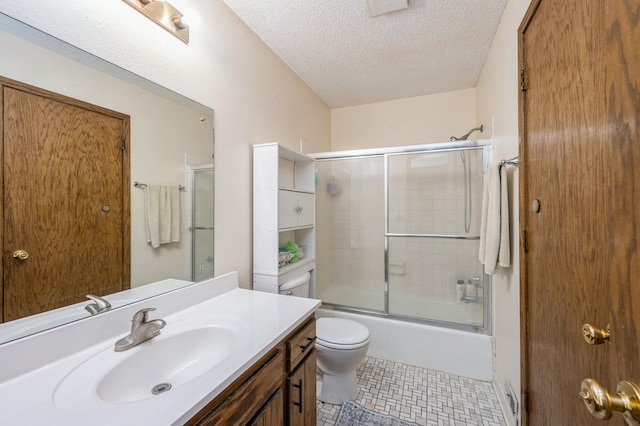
497 106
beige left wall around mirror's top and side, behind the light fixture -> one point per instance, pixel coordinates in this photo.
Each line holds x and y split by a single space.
256 97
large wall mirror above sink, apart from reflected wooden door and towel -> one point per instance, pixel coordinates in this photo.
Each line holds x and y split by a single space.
171 140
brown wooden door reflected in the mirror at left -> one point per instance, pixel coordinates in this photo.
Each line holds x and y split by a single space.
66 200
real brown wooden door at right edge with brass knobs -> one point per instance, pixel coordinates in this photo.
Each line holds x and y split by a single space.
580 158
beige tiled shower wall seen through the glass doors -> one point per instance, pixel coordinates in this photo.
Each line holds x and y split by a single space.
426 196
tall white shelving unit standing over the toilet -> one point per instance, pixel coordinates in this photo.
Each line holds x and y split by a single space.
283 210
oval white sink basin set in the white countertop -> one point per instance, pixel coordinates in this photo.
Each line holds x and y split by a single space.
182 352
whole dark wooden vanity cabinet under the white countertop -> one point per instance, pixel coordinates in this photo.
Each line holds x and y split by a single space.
279 389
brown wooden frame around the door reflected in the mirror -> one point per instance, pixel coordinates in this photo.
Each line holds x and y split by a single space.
126 176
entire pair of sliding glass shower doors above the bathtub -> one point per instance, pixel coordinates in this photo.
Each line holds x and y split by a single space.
398 233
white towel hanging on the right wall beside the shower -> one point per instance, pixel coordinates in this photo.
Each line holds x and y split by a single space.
494 229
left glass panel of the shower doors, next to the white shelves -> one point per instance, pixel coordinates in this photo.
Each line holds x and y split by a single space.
350 238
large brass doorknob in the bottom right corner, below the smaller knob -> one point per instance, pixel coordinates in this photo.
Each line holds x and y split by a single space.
601 404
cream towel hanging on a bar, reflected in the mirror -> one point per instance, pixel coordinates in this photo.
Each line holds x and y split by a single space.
162 211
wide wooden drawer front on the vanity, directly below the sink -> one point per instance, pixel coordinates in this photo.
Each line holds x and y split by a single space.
248 398
